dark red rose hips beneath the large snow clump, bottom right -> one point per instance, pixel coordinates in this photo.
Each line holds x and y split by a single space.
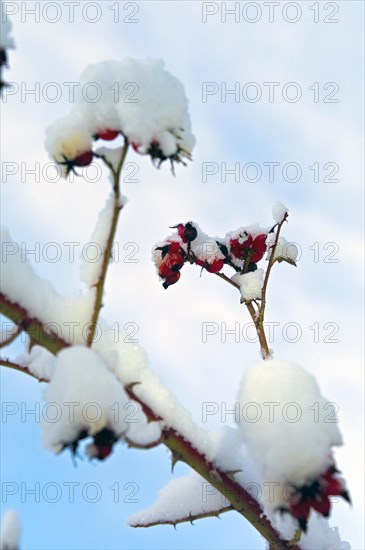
316 495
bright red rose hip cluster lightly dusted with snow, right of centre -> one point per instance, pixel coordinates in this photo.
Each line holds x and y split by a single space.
240 250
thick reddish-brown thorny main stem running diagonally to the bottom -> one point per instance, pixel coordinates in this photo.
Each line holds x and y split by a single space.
181 448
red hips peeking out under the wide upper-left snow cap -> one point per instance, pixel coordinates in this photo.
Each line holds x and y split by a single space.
154 150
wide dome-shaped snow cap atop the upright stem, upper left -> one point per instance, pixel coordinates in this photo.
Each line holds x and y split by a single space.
139 98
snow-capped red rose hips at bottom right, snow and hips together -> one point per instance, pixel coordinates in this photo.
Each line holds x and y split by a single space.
288 443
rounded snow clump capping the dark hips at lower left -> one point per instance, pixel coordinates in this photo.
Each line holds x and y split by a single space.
86 397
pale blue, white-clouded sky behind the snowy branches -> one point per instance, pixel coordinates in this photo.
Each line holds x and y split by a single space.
311 132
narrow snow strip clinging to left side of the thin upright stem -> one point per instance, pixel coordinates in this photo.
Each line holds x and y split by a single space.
91 267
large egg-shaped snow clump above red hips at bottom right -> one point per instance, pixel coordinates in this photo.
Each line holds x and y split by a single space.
285 437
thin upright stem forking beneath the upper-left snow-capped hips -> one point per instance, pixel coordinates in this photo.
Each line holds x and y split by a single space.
116 171
